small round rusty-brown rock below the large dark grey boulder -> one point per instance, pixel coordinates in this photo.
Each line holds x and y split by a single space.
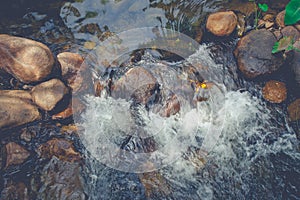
274 91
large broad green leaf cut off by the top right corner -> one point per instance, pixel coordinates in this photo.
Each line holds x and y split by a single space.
292 12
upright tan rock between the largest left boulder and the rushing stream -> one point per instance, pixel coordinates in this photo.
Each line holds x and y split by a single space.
71 67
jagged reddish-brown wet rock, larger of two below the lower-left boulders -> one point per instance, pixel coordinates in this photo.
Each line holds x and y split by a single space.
60 148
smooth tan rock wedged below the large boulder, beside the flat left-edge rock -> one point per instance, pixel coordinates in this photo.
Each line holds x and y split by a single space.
47 94
